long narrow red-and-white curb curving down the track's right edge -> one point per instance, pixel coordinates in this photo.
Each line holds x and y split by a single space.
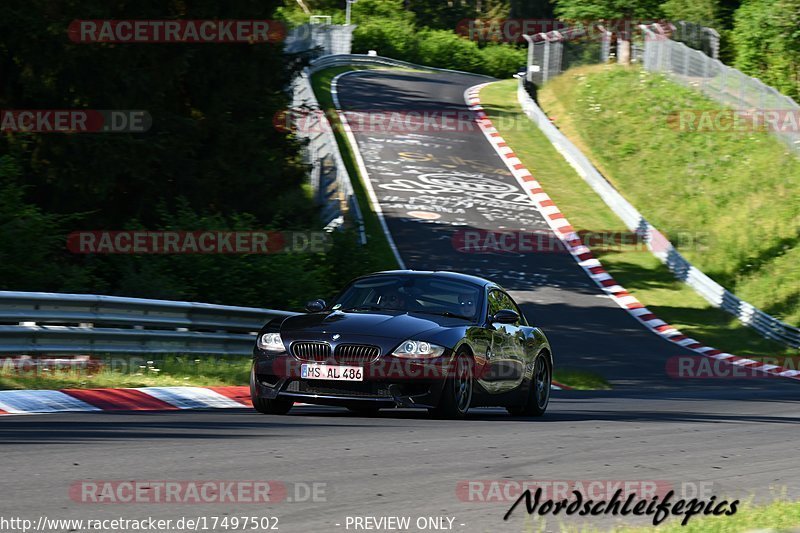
584 257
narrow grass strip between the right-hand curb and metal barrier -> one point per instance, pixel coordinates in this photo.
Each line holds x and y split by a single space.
638 270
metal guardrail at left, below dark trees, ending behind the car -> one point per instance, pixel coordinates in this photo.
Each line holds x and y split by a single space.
38 322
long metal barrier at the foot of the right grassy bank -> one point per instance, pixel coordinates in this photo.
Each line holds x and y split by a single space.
659 245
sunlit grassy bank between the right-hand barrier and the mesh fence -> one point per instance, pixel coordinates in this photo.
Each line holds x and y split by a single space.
730 201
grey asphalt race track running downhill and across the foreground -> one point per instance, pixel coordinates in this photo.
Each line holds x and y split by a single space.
737 438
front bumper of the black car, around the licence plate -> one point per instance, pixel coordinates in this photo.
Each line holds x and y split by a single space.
388 382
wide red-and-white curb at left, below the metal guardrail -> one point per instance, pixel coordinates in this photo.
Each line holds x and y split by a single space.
19 402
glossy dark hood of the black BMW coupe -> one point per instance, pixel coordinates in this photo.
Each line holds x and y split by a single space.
399 326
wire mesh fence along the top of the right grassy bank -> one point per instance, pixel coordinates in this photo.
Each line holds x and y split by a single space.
757 106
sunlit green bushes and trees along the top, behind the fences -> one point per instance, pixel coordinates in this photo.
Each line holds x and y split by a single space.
760 37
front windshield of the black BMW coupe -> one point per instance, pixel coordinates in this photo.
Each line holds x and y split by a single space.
412 294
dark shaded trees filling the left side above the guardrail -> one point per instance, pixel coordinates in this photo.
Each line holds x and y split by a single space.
212 159
